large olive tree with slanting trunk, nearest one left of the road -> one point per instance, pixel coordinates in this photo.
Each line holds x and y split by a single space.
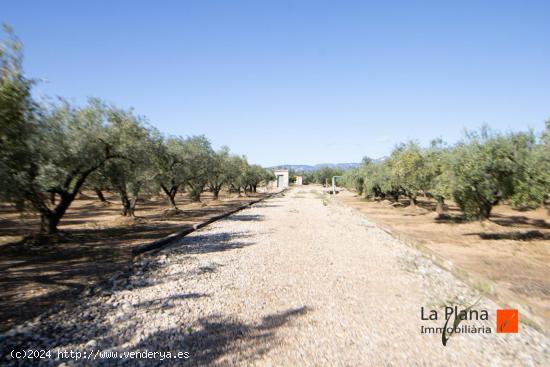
69 145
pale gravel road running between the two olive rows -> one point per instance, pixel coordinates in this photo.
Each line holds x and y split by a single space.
296 280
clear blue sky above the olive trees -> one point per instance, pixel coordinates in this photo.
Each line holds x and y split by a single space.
297 82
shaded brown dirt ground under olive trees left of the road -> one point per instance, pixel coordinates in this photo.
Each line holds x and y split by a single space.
97 242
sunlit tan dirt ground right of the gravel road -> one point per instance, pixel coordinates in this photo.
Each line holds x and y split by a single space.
507 256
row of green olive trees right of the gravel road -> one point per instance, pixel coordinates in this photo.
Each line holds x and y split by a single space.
482 170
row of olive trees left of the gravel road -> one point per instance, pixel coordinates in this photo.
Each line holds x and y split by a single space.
49 153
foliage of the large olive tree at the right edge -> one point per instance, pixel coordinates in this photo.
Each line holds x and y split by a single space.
489 168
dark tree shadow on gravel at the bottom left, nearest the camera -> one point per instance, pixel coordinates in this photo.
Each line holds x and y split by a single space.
215 340
